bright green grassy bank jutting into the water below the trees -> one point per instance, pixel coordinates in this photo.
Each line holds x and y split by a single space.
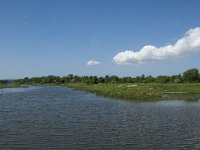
142 91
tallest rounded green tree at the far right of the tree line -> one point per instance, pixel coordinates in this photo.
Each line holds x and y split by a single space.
191 75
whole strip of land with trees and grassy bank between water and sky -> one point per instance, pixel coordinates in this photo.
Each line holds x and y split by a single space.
183 86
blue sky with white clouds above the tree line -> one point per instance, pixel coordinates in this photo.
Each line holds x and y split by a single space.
98 37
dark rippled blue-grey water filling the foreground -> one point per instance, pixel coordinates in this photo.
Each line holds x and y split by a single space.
60 118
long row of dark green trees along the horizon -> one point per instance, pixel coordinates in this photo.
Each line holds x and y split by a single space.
189 76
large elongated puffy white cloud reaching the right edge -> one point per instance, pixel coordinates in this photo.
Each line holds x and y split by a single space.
188 44
